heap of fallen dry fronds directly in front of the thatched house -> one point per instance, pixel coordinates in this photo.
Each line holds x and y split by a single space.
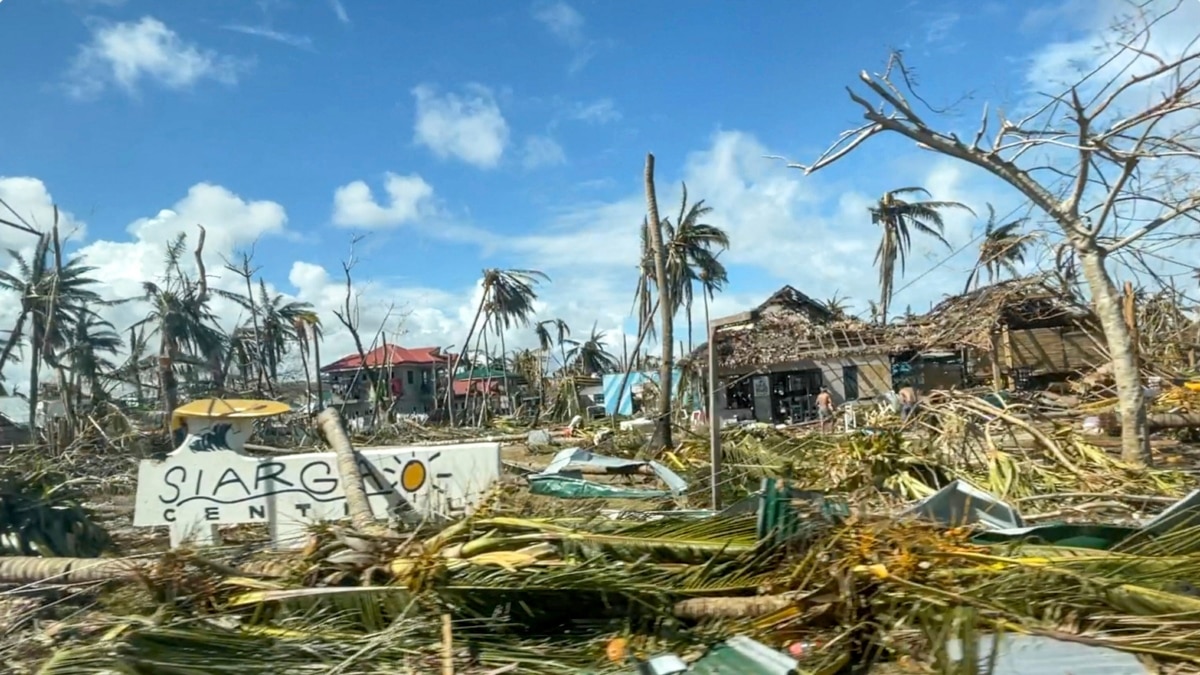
1010 452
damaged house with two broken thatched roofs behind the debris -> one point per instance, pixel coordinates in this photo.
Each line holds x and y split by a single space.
773 360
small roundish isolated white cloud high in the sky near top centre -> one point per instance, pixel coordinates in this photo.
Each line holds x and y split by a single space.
470 128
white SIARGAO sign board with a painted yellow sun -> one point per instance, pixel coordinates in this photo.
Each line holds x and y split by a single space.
200 487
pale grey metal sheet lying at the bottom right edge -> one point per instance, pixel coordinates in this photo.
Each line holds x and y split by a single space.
1036 655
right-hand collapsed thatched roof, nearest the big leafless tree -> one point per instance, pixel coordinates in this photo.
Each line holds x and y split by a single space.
970 320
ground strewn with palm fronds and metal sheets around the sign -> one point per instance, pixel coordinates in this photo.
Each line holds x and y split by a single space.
896 546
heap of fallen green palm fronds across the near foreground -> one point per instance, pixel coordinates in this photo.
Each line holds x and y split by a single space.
871 588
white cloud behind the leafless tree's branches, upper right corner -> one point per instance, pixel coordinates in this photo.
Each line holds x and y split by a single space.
1108 49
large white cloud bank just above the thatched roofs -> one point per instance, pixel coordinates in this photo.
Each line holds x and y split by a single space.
785 229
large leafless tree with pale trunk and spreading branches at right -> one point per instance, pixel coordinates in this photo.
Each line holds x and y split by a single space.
1109 160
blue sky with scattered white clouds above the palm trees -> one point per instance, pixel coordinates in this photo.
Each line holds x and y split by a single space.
457 136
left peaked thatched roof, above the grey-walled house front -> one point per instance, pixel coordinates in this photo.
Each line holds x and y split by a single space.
789 327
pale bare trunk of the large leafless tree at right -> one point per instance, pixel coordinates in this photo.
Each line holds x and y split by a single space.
1135 439
